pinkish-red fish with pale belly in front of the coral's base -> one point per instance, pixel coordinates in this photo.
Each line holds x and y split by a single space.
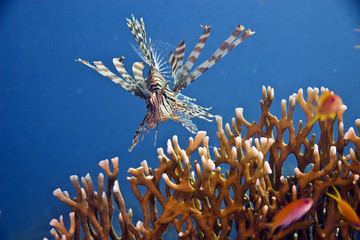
290 213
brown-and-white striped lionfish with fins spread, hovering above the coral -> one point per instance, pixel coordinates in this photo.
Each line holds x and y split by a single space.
163 103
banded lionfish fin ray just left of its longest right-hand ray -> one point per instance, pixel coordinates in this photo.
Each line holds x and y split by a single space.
194 54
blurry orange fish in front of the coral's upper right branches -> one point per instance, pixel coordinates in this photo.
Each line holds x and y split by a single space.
329 104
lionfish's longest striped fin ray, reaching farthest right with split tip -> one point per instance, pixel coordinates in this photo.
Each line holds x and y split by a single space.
224 48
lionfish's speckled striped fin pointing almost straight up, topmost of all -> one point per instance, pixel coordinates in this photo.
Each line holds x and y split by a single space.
138 31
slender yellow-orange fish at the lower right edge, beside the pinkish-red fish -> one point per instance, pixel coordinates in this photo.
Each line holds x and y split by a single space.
346 210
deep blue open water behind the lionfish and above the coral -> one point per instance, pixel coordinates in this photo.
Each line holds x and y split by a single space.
59 117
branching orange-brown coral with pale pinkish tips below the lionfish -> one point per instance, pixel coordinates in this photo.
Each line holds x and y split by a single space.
238 190
